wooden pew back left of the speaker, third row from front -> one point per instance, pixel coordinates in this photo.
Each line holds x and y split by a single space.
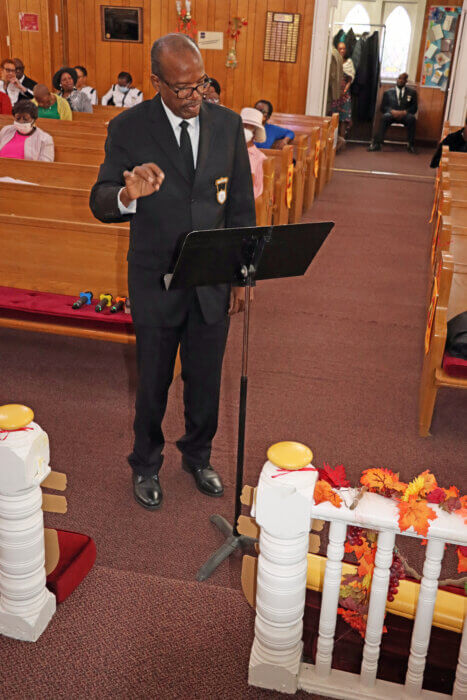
49 174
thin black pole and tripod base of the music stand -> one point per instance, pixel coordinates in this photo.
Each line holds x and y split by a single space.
234 539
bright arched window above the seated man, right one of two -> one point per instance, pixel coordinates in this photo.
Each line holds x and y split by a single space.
396 43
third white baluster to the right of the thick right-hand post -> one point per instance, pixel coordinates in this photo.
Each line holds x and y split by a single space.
424 617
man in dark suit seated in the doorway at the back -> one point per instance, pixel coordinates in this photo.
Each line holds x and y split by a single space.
399 106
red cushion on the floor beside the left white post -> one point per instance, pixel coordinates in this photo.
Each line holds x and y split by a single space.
77 557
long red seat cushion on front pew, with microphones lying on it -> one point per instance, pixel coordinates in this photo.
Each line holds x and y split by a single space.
26 300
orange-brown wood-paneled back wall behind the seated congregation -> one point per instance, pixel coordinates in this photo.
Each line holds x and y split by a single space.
79 42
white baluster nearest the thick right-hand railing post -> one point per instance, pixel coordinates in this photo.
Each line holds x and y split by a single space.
330 598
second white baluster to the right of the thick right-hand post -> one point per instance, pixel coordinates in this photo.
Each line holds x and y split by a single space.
376 611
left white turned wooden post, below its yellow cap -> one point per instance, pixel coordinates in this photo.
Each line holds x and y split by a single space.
26 606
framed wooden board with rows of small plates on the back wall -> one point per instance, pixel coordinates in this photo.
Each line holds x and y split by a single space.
281 39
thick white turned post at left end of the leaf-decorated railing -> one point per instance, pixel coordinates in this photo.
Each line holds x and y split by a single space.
283 511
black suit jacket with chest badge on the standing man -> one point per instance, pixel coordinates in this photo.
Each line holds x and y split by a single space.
143 134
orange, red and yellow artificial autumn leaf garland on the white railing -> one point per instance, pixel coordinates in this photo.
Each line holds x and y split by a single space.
413 503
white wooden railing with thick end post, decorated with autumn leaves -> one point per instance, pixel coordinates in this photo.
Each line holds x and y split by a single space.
283 509
